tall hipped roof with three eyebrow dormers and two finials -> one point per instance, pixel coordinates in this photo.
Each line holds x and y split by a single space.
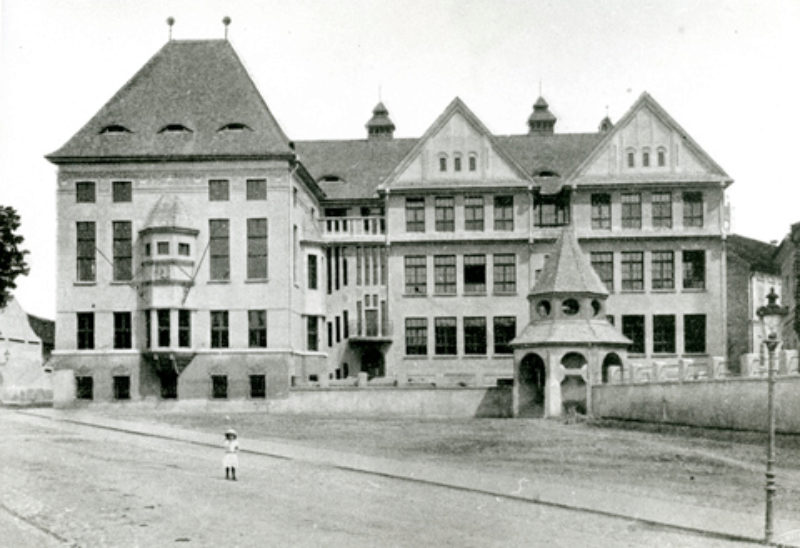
199 84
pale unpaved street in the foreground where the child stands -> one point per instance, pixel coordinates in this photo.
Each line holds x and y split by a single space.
66 484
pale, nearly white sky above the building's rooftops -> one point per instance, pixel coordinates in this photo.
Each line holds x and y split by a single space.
727 71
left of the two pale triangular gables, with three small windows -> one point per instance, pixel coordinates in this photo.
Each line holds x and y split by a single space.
456 133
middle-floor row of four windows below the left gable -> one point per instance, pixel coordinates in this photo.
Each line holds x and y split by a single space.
473 274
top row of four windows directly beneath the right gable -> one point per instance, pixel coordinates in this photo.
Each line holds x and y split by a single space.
661 210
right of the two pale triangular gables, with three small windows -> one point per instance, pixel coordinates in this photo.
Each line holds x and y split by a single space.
648 131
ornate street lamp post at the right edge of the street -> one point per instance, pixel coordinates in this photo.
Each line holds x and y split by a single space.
770 316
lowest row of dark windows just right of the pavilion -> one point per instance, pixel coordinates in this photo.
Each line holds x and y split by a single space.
663 335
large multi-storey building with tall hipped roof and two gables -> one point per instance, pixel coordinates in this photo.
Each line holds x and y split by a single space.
202 254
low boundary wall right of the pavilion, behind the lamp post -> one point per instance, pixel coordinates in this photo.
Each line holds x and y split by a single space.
737 403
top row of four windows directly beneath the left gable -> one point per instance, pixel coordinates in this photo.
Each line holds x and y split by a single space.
473 213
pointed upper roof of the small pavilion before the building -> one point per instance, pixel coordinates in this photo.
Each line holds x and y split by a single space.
568 270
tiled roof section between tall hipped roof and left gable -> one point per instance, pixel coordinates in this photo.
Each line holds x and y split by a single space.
360 164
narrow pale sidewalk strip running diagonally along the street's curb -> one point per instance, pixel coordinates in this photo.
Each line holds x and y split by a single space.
716 522
